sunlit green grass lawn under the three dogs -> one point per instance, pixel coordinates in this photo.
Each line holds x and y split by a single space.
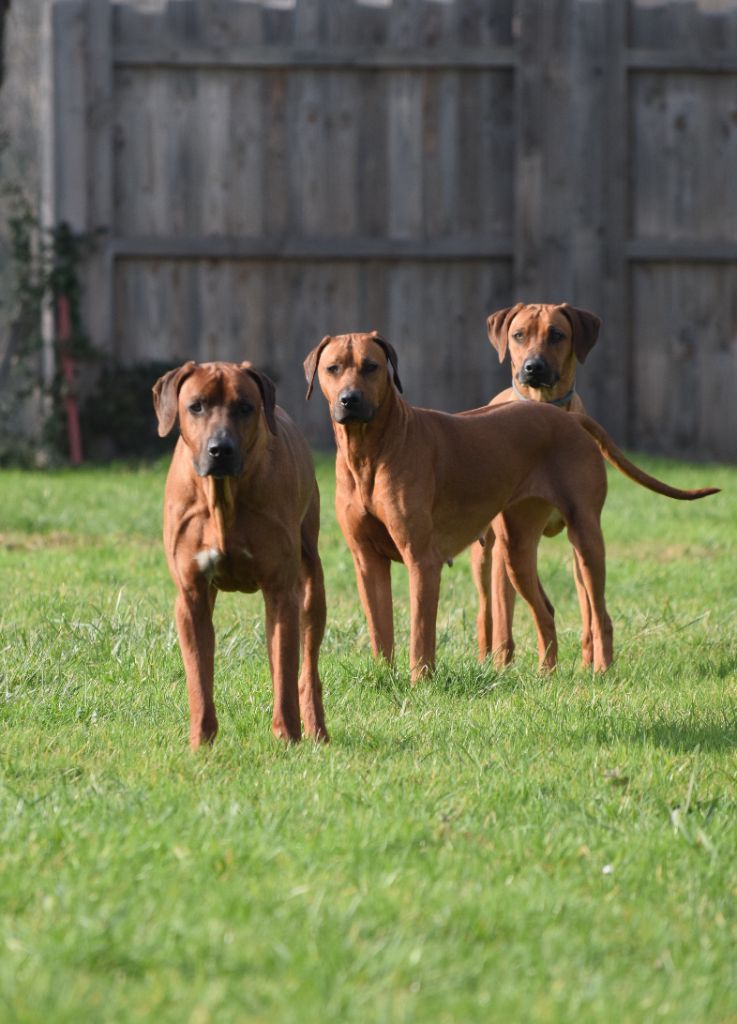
486 847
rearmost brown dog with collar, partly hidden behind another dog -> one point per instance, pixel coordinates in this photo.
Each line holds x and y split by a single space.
545 344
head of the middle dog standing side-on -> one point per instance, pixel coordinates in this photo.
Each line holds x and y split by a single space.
356 373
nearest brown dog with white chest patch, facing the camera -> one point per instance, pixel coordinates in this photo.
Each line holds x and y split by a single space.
242 513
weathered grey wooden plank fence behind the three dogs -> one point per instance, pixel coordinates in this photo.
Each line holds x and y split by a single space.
270 173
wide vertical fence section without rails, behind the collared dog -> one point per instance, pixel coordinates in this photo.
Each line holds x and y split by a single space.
572 180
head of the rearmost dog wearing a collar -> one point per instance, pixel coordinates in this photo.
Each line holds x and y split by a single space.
545 342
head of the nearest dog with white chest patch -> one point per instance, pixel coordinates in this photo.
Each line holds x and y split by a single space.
224 409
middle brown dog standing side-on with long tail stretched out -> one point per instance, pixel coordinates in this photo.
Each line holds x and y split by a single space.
418 486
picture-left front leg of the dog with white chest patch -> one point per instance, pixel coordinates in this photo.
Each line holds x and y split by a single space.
197 642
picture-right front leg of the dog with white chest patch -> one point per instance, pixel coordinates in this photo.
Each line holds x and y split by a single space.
283 635
